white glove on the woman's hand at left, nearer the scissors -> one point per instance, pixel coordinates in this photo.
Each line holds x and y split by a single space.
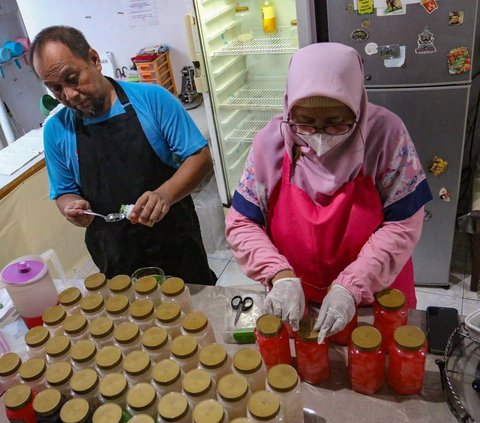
286 301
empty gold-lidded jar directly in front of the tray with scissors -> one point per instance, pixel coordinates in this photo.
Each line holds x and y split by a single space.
248 363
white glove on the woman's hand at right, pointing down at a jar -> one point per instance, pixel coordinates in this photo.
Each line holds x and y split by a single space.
338 308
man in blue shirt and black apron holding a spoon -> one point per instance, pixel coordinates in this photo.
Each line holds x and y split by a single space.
122 143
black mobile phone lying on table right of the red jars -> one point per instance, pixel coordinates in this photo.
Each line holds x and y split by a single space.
441 322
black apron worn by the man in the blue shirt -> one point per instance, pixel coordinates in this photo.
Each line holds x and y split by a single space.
117 165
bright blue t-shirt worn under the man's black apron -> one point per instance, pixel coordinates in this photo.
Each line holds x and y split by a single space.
171 132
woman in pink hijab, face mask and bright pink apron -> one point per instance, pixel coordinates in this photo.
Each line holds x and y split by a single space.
331 196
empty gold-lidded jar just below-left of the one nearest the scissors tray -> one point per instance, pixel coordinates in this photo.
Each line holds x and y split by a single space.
233 393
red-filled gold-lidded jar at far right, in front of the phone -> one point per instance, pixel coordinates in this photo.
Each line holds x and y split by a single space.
406 364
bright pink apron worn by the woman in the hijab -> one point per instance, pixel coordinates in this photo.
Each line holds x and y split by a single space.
319 241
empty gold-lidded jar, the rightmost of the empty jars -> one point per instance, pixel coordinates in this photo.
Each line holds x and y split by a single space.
283 381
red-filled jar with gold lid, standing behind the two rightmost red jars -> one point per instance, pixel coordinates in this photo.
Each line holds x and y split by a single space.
390 312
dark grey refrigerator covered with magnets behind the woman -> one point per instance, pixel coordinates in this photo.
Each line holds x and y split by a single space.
406 57
